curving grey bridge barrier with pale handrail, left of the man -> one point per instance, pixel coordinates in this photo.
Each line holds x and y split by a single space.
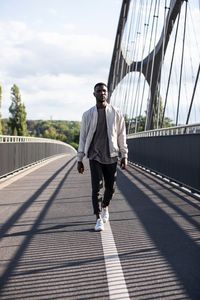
18 152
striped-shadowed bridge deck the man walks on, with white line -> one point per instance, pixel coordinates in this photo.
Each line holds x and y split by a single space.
49 250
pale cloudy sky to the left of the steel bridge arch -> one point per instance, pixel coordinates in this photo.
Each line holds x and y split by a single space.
55 51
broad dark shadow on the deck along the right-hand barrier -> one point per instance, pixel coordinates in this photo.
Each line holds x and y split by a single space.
174 244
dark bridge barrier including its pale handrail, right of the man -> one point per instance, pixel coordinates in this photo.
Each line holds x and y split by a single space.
173 153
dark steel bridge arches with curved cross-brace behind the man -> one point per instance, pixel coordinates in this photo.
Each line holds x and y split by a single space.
151 65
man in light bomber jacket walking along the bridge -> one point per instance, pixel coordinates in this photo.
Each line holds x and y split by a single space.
102 139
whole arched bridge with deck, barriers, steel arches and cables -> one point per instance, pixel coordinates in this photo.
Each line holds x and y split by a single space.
150 247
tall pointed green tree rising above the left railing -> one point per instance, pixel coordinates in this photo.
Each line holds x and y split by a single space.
17 121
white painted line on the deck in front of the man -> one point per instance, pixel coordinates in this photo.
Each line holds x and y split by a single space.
116 282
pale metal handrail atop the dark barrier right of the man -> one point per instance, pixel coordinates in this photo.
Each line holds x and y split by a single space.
182 129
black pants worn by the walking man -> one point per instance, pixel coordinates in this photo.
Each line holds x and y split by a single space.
102 175
